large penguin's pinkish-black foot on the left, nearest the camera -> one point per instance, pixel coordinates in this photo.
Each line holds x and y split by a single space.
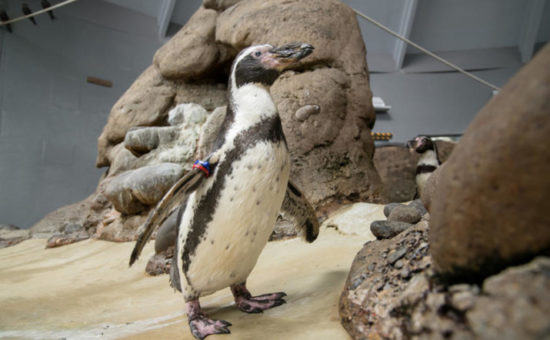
200 325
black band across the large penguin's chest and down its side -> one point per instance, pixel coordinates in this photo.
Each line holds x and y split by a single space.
268 130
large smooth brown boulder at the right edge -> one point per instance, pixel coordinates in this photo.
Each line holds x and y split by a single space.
489 207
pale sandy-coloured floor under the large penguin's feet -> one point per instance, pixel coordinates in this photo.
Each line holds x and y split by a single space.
86 290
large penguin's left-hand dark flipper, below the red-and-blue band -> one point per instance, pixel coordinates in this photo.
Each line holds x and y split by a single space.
169 203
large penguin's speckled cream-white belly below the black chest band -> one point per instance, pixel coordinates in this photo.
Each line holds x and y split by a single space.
243 220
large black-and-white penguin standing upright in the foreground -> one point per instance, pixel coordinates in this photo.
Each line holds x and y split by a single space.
229 213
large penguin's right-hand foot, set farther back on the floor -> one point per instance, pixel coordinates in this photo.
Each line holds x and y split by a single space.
255 304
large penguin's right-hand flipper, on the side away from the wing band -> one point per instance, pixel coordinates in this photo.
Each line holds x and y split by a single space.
298 208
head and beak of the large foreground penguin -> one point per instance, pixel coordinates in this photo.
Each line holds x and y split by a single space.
262 64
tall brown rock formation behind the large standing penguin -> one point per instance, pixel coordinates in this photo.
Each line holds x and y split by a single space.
325 105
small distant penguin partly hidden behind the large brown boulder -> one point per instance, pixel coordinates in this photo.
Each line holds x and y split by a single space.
428 162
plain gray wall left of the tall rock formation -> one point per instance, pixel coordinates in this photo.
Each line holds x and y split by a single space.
50 116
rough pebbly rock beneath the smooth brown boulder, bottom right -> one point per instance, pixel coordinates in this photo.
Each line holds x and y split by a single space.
392 292
